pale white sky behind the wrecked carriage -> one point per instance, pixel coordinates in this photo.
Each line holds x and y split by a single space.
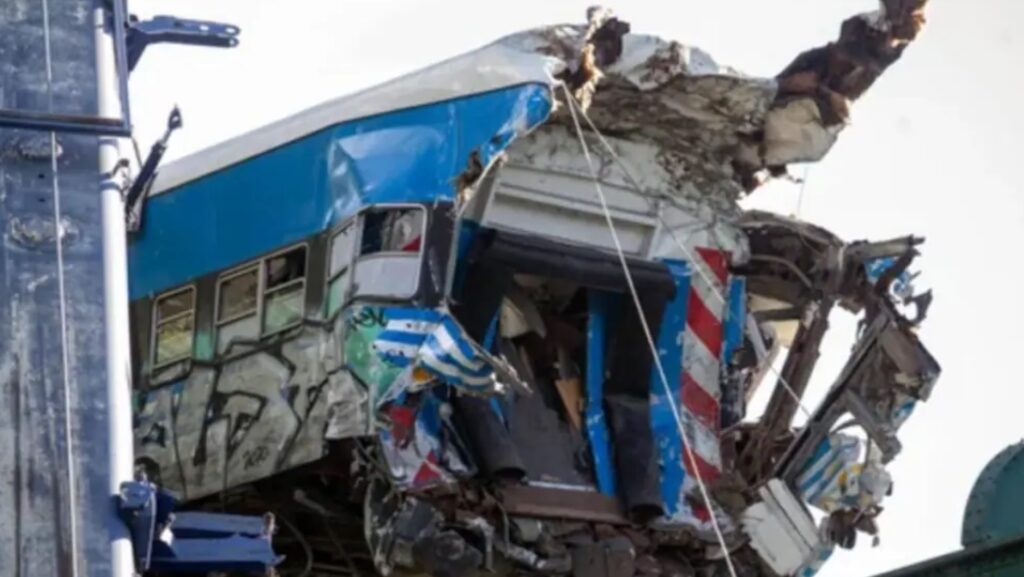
931 151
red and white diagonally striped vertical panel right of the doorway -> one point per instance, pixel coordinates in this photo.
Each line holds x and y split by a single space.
702 363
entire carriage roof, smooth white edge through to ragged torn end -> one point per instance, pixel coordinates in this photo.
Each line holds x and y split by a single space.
716 129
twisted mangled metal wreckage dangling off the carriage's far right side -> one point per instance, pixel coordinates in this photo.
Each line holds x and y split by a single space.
888 374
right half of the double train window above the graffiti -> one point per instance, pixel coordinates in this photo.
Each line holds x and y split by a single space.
285 293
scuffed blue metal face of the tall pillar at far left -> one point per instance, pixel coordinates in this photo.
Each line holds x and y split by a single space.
56 501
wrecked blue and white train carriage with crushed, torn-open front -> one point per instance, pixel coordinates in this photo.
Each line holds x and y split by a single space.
360 318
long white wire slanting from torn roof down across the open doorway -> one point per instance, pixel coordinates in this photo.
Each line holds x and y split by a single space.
650 338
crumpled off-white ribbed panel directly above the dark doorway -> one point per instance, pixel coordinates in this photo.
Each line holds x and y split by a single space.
549 164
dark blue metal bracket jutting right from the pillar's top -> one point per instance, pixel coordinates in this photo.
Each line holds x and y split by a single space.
177 31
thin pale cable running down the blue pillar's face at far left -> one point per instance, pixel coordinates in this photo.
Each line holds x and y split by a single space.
63 306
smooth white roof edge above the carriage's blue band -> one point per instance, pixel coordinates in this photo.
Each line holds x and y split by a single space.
491 68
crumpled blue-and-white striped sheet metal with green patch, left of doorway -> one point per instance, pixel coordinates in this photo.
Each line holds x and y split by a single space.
411 359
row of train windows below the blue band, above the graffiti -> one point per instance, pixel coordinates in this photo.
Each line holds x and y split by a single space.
268 297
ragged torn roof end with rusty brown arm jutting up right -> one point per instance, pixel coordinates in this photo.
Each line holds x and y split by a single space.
719 131
